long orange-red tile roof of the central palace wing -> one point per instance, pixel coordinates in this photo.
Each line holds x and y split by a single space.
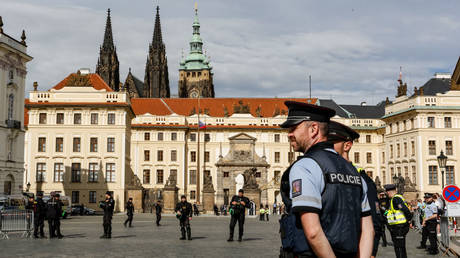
215 107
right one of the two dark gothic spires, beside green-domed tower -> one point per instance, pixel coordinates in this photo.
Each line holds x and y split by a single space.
156 80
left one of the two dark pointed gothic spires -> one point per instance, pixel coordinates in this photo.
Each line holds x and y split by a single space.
107 64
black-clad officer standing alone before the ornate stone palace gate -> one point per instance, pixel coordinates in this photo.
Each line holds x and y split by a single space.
238 204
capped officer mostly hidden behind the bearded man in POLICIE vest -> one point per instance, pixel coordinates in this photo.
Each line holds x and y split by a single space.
342 137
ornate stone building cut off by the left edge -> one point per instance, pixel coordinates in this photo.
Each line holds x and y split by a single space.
13 71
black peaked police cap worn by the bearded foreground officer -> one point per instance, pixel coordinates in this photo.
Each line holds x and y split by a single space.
300 111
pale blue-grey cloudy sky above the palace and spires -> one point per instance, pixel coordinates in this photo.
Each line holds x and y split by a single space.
264 48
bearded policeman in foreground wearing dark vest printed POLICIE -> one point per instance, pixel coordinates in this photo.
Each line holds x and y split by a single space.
323 193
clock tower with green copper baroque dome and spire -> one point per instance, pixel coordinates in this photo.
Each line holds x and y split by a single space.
195 76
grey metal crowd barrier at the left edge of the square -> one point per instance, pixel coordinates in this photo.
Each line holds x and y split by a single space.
16 221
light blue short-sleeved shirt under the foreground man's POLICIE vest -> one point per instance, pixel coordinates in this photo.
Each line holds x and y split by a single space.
307 180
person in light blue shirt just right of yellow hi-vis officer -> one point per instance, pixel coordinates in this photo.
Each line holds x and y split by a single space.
429 225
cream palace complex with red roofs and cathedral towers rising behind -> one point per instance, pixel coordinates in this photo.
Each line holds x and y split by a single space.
90 134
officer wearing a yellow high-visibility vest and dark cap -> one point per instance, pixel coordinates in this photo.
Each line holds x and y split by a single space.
398 216
